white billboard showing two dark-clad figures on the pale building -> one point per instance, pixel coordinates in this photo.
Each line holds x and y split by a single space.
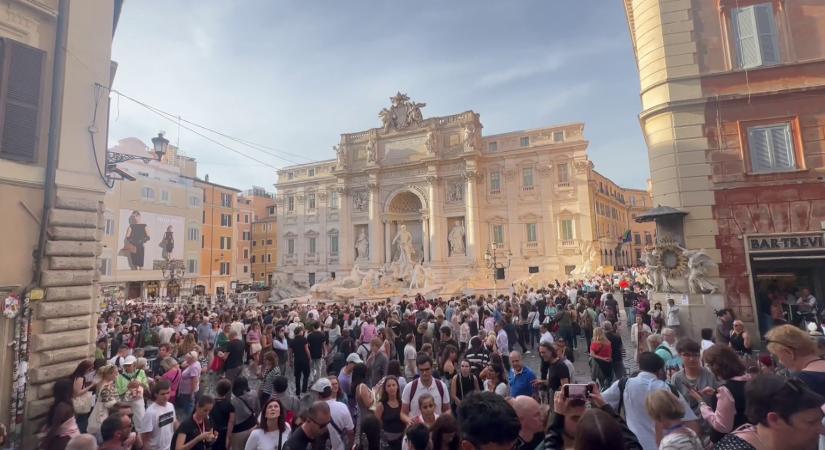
147 239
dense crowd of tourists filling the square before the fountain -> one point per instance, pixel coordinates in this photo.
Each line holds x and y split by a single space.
440 374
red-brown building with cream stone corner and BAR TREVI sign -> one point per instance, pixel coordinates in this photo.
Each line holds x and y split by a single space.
732 111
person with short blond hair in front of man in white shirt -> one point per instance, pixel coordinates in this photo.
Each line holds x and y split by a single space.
671 432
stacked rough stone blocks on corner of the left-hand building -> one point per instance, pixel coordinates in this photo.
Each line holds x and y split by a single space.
63 323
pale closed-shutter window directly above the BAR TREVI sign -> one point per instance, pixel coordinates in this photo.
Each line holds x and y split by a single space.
771 148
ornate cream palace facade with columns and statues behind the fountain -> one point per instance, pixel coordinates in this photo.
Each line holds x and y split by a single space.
457 193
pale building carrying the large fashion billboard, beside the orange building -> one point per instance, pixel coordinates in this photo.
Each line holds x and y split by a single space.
149 222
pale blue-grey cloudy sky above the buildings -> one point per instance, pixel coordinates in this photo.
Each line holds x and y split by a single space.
293 75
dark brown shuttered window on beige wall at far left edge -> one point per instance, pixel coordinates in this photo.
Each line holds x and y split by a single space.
21 80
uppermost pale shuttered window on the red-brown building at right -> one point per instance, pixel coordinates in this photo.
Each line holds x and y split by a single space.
754 31
